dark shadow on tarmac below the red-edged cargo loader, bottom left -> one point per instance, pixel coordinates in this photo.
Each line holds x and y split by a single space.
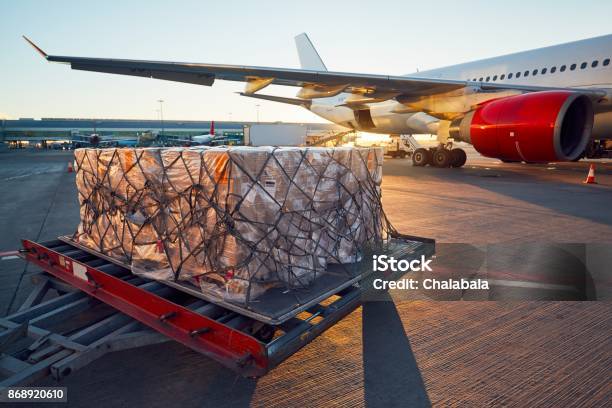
162 375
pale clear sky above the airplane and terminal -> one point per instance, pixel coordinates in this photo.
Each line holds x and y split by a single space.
382 37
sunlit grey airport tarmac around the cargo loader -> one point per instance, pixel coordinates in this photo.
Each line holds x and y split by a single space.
399 352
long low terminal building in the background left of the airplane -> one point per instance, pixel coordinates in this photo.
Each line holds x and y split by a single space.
28 132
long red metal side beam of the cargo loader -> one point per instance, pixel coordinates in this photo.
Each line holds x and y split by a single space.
231 347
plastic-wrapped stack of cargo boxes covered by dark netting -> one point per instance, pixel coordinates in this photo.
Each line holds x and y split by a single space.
233 221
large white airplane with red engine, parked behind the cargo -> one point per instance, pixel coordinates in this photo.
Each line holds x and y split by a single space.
544 105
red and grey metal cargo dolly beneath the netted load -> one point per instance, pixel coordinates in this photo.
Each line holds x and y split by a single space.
101 307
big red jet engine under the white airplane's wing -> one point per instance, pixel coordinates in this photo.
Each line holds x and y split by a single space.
533 127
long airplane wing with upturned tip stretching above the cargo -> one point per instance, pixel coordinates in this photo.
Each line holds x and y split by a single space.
315 84
